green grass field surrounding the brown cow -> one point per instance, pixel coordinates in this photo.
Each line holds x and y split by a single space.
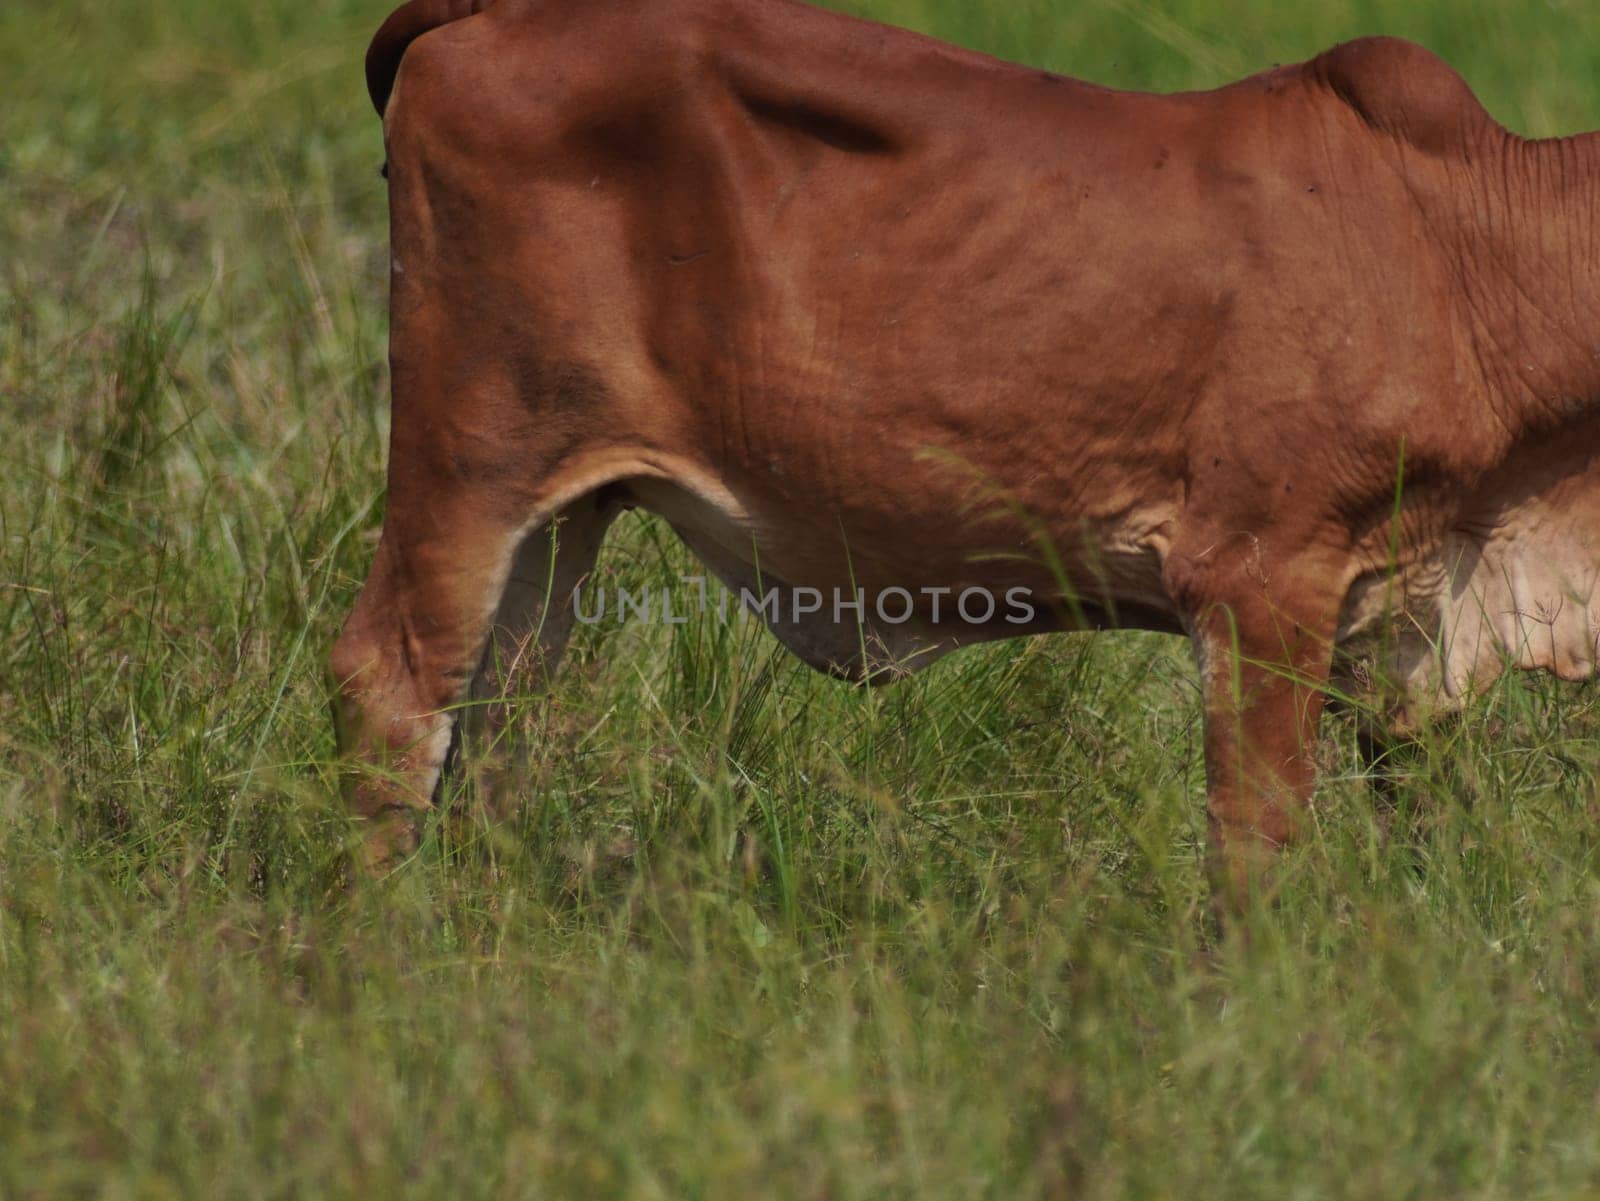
740 933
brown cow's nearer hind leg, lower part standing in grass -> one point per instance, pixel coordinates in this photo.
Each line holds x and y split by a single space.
409 655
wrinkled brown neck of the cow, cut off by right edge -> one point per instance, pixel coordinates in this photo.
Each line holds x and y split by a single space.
1530 277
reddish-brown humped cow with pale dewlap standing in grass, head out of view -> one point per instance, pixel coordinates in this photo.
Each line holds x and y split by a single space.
1294 367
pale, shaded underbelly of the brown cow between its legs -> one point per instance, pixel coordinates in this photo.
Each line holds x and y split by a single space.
895 594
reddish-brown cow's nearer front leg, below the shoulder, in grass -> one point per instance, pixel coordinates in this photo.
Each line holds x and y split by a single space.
1263 634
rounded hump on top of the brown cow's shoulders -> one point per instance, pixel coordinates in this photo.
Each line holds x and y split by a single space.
1407 92
